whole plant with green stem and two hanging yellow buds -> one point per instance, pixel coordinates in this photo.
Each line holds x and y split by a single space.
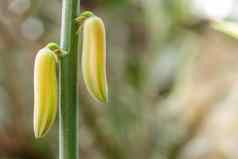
65 58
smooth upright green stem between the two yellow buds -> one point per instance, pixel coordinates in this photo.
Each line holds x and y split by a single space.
68 109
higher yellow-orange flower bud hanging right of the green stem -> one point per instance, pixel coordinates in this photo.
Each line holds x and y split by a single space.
94 58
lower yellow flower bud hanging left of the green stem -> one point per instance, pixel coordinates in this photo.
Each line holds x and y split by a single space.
45 91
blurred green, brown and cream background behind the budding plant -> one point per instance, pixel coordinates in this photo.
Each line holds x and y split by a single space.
173 81
